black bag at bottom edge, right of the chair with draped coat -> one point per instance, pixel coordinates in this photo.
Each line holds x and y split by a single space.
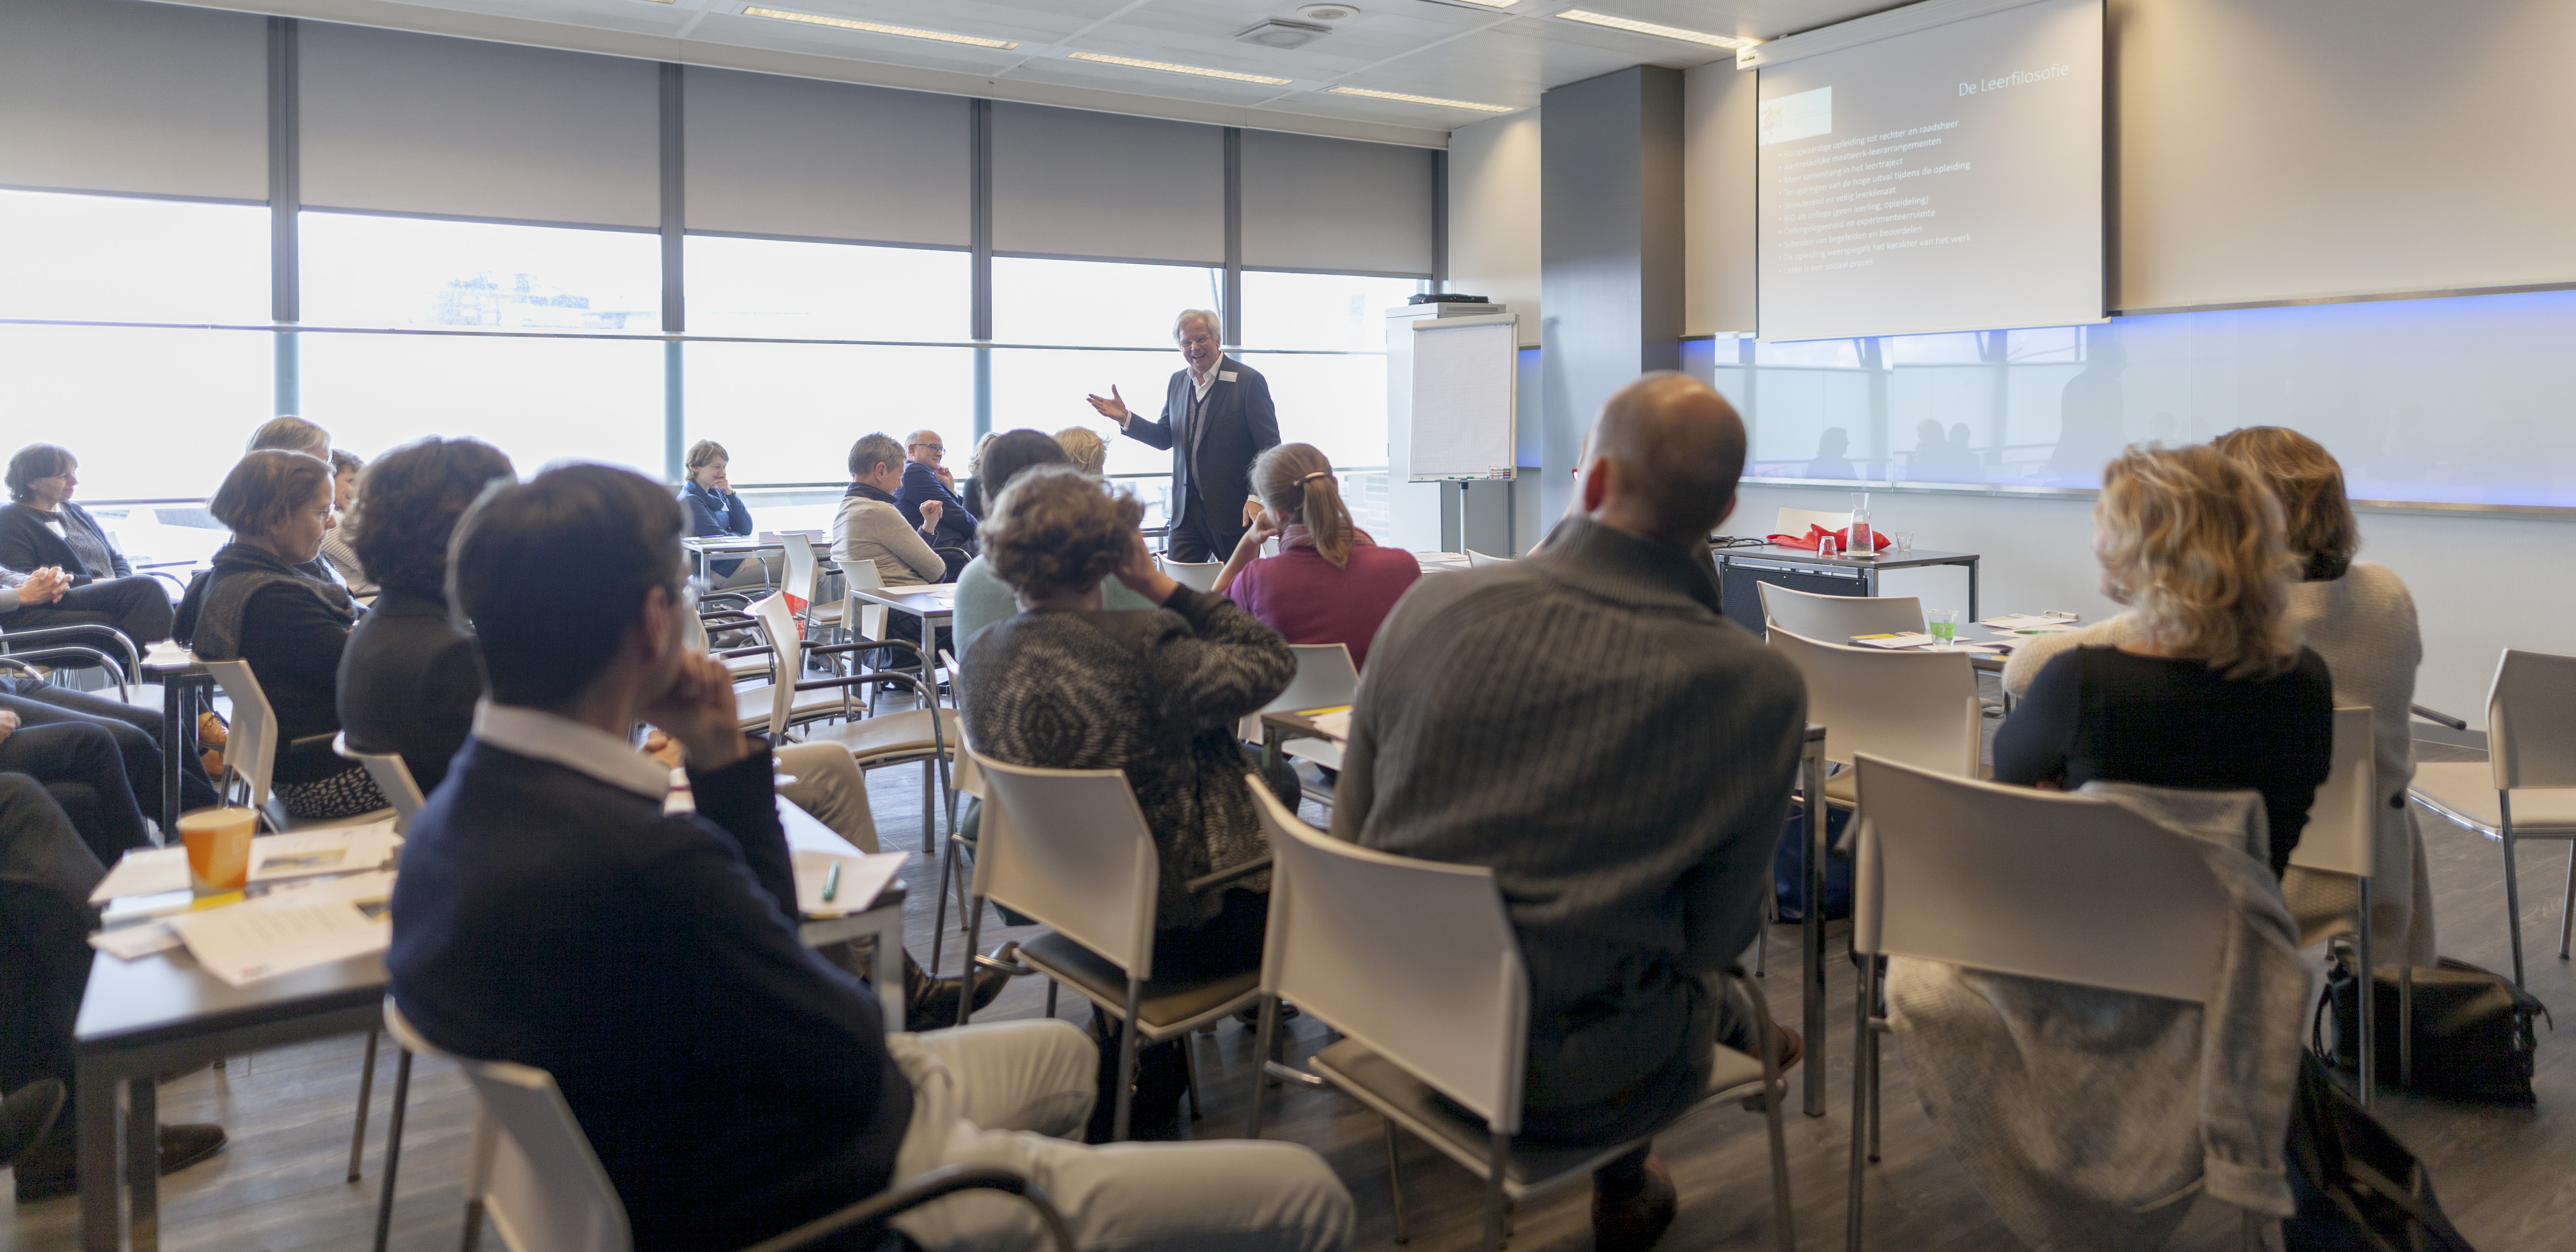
2356 1186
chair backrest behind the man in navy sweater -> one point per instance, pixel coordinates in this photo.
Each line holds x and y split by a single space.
542 1184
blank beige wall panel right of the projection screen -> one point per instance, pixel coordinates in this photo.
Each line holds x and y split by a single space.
2281 151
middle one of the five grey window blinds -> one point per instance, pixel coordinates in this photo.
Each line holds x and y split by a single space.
790 156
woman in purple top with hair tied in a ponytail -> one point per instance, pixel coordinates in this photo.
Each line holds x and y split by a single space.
1331 583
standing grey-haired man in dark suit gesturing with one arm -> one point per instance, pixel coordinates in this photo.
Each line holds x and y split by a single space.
1215 419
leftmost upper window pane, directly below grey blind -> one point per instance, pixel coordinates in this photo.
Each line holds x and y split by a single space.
109 259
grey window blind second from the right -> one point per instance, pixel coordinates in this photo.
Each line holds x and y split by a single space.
1106 187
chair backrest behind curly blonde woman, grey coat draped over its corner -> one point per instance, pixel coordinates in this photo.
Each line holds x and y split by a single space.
2034 882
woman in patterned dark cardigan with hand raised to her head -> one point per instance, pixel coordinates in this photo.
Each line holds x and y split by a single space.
1158 692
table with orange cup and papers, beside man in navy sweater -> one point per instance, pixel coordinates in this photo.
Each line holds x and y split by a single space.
164 1014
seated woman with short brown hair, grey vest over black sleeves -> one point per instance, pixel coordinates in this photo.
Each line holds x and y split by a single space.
261 607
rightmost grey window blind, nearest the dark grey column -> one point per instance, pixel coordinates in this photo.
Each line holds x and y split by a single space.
1336 205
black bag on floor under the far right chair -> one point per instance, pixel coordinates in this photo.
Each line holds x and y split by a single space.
2472 1029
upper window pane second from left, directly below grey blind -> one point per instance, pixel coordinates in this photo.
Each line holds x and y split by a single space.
426 274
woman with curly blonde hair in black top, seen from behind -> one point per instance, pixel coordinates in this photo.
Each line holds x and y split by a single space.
2219 694
